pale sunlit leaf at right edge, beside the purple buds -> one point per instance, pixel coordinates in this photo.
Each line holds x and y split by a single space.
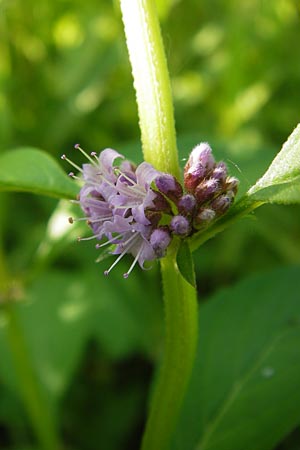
281 182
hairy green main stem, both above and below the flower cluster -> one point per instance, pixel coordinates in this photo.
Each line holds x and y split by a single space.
155 107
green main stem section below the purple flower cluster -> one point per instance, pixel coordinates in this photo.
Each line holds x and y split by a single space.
180 345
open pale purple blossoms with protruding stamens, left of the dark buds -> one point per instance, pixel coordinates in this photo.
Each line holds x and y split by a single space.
119 204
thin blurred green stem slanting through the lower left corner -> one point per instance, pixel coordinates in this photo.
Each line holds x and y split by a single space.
40 416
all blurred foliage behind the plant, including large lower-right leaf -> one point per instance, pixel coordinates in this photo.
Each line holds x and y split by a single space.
95 341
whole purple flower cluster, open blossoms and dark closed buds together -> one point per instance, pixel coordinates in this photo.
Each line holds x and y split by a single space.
138 210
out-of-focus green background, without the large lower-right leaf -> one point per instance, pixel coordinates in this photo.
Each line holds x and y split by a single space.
65 78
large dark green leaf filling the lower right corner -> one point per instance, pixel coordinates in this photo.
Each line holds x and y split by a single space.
245 389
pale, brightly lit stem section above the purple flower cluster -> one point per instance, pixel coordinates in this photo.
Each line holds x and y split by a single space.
152 84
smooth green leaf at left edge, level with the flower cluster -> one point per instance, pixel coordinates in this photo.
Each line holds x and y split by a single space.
32 170
